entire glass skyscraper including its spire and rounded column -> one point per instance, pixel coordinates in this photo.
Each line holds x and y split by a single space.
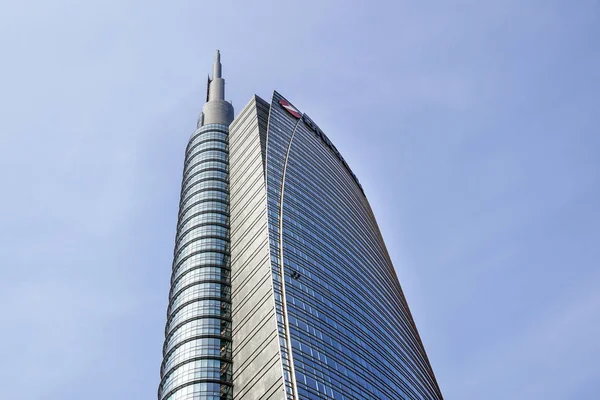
282 287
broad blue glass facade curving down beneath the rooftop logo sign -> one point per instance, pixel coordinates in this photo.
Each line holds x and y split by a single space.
345 327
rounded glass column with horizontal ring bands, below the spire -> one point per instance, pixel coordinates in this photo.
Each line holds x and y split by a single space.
197 349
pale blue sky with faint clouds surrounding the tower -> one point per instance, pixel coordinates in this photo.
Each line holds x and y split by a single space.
474 127
